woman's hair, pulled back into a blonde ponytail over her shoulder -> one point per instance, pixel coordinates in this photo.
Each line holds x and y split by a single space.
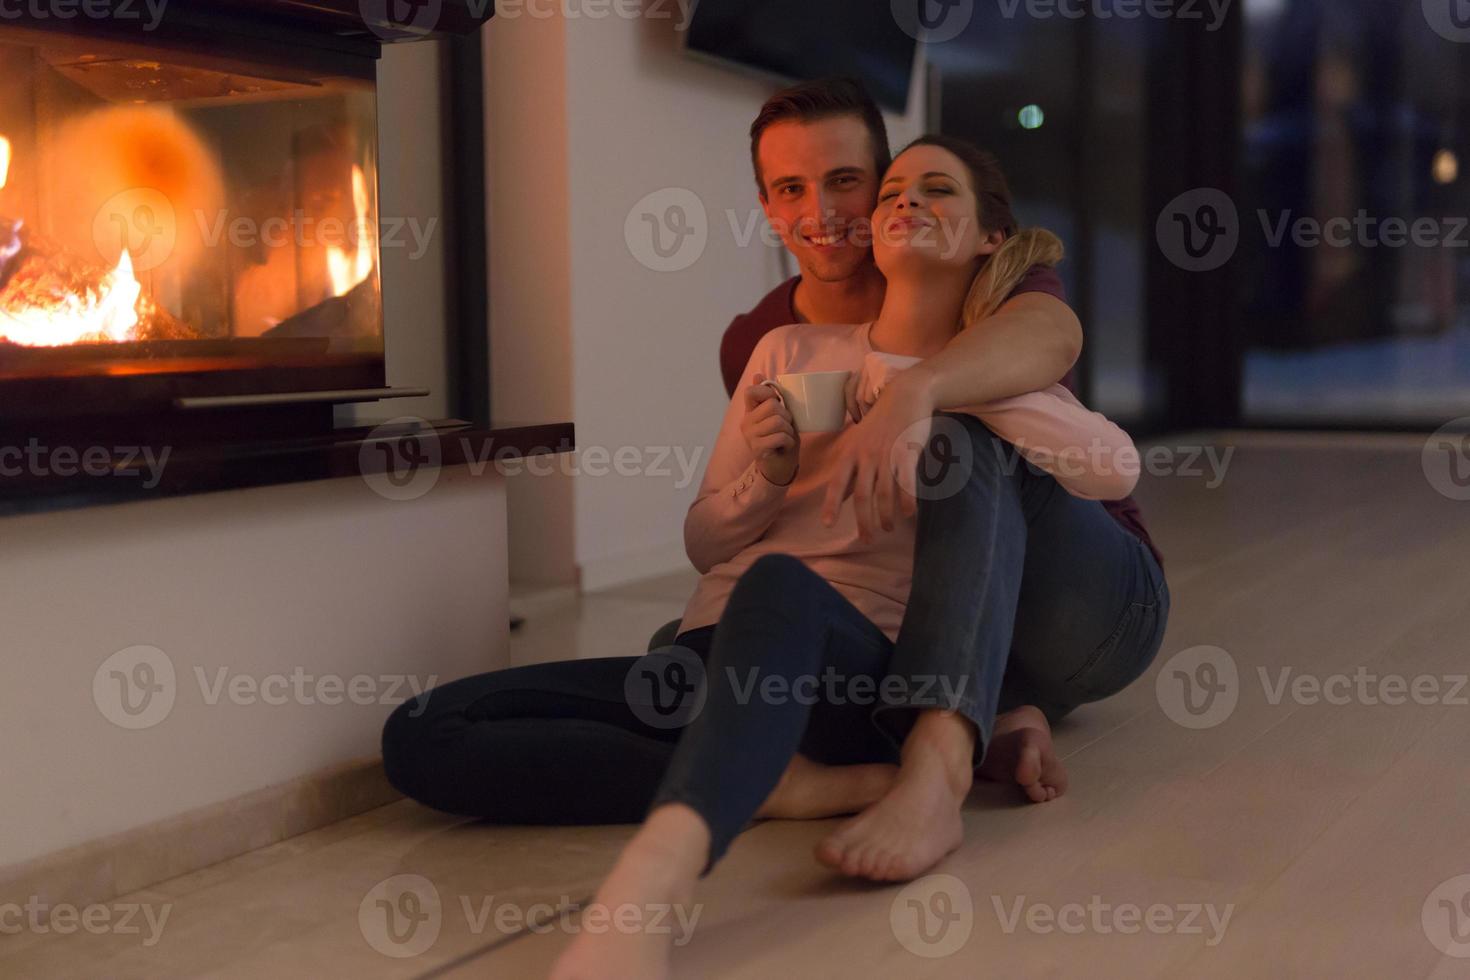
1021 252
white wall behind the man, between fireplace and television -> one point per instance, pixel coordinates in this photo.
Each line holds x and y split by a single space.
620 112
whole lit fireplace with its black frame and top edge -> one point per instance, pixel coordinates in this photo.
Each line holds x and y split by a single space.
189 209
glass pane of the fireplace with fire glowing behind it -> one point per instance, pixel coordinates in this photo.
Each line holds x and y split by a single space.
164 212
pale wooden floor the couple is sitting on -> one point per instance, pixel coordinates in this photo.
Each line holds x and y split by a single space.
1283 838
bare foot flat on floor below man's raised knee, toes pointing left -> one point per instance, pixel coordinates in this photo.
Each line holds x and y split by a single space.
912 828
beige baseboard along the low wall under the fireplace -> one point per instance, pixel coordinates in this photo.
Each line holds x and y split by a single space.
102 871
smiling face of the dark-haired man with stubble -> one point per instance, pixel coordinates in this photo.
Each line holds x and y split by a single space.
820 193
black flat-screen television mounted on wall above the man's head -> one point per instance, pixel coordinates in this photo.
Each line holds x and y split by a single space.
809 39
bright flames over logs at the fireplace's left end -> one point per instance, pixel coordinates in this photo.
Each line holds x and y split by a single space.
107 315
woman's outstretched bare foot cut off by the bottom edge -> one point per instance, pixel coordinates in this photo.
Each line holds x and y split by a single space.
645 907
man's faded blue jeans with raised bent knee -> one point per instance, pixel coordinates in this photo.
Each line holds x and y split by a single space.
1037 596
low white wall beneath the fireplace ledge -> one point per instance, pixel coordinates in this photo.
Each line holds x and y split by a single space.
323 578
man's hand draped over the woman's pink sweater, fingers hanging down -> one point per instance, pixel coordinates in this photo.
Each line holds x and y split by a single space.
877 461
